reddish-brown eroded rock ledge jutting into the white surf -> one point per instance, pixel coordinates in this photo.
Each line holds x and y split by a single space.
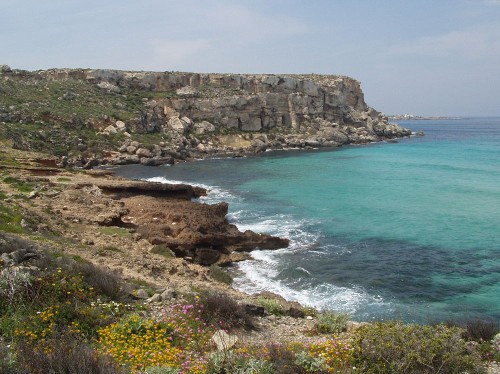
162 214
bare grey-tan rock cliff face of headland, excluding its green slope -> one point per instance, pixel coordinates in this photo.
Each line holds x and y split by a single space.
205 114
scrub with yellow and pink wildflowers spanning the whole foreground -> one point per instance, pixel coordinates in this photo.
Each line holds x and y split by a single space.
71 313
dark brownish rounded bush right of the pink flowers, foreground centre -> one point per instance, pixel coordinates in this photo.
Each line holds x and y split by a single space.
219 307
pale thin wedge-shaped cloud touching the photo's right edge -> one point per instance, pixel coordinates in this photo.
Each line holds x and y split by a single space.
473 44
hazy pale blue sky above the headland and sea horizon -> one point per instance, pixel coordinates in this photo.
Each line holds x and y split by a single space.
424 57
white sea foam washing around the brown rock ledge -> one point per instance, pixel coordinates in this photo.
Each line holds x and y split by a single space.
263 272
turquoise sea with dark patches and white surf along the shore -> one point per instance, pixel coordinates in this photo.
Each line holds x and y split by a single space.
408 230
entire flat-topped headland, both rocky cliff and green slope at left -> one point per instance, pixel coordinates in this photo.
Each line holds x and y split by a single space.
95 117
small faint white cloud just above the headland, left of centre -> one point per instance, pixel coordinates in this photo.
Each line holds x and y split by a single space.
174 52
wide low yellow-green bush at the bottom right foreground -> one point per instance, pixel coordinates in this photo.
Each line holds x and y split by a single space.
394 347
